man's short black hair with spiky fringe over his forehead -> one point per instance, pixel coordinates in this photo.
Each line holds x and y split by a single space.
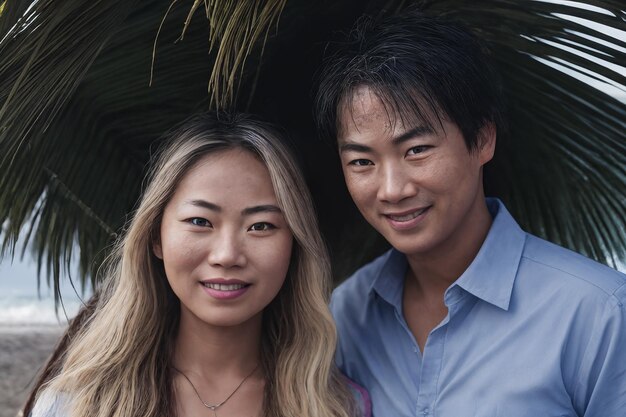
420 67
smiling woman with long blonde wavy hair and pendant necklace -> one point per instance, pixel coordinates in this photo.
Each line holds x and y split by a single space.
214 301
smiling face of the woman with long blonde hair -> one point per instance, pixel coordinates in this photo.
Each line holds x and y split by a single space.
224 241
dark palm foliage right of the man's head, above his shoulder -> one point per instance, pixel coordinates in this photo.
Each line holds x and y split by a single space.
562 168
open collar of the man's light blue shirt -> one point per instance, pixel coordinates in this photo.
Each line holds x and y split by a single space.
491 274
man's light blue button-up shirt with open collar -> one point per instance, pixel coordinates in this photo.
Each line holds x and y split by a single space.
533 330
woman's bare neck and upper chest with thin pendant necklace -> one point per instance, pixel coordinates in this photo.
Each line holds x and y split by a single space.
218 366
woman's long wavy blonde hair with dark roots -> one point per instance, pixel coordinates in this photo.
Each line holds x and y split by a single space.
119 364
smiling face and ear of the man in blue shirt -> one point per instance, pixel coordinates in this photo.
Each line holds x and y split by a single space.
418 186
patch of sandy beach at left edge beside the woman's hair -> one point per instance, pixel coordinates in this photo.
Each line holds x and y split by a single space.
23 351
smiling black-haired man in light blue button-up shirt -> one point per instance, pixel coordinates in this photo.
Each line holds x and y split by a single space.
467 315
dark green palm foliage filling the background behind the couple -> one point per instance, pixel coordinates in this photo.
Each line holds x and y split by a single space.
79 117
